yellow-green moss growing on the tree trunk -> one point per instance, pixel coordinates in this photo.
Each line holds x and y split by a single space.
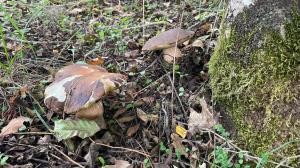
260 94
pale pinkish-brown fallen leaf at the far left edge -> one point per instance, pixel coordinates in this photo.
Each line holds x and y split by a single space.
13 126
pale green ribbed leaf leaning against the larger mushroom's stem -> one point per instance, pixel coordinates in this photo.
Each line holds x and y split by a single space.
65 129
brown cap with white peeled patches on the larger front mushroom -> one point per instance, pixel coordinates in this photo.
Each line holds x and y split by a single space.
79 86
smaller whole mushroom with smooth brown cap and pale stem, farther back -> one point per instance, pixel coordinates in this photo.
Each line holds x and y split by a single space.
167 42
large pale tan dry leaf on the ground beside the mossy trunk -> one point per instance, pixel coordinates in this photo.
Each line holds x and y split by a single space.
198 121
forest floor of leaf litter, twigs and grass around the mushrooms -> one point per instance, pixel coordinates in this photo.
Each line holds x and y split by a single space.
147 119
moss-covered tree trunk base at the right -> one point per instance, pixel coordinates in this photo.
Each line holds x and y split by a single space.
255 74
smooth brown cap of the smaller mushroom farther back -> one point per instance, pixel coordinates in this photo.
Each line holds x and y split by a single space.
167 39
